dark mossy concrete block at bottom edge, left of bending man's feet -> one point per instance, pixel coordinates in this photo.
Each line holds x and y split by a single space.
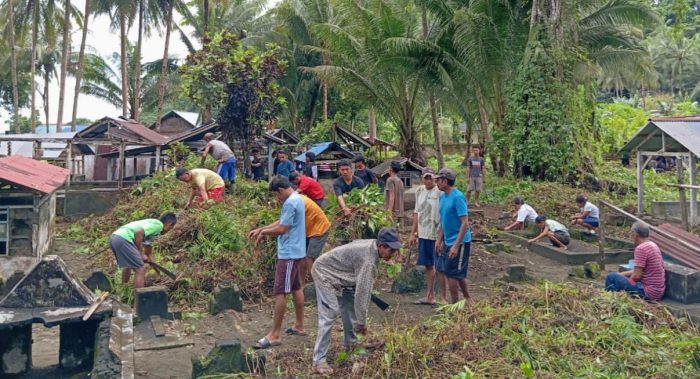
225 357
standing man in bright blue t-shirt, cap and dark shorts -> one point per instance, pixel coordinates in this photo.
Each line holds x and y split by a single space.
454 235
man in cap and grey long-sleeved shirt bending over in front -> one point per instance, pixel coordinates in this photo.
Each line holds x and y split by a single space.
344 278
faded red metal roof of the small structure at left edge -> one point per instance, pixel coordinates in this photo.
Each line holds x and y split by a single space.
32 174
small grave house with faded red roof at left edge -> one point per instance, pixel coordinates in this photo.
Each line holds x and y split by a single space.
27 211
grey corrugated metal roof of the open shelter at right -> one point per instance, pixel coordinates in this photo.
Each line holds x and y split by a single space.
682 135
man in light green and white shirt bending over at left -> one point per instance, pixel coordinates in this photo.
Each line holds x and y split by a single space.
131 245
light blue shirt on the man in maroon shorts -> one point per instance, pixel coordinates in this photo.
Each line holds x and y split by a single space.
292 245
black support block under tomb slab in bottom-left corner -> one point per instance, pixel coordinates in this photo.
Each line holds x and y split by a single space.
15 350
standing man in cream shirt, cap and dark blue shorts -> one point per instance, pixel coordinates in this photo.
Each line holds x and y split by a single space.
426 221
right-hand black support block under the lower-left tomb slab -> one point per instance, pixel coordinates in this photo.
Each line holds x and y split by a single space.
77 344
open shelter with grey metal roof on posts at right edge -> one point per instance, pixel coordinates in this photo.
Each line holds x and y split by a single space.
677 137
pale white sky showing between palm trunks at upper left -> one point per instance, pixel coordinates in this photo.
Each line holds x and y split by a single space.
104 42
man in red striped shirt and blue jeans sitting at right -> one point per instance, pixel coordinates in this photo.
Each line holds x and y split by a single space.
648 278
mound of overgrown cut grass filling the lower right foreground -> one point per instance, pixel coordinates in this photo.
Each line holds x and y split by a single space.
547 330
